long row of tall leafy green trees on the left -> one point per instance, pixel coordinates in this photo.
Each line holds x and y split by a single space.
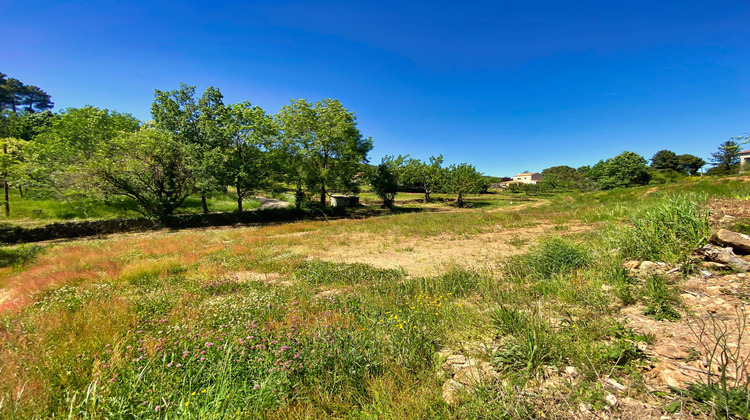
193 145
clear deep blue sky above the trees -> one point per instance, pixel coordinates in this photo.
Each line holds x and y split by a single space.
504 85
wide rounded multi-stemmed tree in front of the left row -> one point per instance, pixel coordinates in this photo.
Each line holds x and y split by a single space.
149 166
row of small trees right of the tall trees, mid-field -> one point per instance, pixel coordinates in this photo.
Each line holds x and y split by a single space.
405 174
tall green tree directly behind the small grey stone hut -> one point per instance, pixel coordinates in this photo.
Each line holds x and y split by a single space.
324 144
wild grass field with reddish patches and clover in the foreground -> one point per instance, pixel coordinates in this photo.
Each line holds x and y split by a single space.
355 318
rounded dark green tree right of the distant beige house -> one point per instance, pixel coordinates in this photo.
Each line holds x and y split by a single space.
624 170
